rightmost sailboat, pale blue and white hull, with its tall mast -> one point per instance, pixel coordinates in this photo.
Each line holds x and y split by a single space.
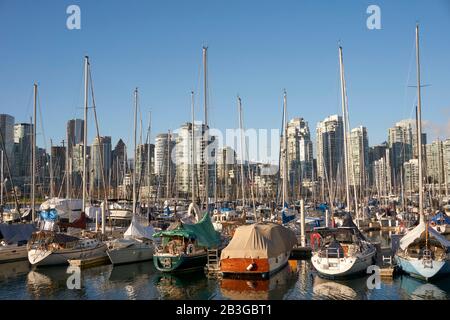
423 252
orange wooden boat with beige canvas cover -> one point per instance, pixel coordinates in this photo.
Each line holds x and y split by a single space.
260 249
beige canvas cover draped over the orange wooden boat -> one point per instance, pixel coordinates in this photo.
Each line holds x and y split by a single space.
260 240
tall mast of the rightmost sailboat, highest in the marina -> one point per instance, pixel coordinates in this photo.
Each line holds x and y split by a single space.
419 127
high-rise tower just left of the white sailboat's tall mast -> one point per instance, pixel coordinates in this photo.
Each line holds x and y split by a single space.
330 147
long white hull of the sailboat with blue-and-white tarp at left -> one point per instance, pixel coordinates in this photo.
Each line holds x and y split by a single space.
39 257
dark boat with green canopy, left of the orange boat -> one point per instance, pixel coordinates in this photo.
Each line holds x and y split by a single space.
185 246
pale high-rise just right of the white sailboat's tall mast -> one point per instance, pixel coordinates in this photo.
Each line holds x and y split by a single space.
359 157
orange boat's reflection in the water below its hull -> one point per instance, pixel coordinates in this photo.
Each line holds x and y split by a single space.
258 289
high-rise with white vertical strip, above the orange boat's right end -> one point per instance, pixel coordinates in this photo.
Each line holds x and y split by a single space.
299 152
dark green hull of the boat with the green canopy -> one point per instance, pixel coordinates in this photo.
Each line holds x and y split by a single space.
179 263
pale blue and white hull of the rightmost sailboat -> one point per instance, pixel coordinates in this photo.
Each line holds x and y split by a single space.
415 267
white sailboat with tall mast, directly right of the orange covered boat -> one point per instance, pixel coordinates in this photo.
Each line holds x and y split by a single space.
342 251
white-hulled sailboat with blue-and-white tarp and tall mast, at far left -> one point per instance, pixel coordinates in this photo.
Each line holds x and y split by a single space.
49 246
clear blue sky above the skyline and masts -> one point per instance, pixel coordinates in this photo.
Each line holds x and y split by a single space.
256 48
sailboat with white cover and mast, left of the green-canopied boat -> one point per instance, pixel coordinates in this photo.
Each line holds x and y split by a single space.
137 244
